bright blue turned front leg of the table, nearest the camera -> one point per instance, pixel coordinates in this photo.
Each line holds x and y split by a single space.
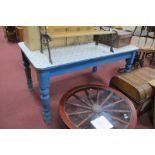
44 86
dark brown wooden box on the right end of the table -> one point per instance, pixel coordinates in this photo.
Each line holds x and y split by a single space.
122 38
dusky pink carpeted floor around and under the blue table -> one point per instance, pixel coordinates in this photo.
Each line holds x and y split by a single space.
20 108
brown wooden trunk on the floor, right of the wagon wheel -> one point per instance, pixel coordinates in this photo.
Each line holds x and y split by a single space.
135 85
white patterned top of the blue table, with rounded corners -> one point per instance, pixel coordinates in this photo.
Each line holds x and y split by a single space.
70 54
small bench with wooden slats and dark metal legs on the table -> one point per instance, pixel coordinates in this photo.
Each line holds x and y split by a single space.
46 37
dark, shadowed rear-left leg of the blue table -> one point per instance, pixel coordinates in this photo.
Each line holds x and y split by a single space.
27 72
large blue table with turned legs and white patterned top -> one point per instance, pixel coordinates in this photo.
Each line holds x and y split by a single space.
70 59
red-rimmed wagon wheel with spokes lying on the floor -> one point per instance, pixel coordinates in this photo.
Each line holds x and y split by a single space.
80 105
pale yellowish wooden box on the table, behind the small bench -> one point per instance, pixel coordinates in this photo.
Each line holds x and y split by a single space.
31 36
